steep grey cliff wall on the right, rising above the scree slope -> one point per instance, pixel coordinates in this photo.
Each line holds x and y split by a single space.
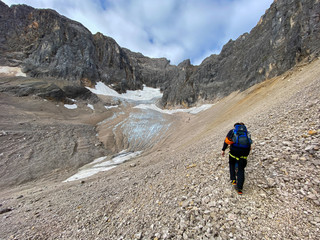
284 36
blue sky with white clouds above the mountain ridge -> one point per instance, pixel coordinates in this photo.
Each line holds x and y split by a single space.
174 29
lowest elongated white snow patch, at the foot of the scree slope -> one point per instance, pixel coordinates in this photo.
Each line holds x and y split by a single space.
100 165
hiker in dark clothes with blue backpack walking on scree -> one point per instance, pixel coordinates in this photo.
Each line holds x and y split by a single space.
240 145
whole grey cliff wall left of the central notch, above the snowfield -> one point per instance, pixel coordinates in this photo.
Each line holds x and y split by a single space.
47 44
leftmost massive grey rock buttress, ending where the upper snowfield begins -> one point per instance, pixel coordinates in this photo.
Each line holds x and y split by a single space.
47 44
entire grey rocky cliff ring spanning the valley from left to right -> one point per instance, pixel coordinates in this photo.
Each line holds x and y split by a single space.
47 44
